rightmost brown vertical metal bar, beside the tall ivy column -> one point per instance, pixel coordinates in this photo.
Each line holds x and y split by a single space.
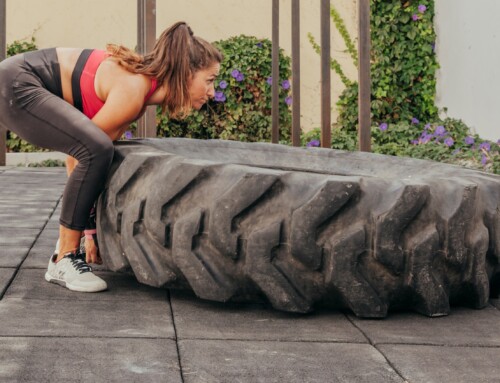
364 77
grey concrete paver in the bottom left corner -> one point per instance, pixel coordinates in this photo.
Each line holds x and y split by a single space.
39 360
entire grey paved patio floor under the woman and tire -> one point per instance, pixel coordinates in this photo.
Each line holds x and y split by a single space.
133 333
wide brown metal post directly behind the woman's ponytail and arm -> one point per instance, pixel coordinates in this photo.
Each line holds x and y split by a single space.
146 36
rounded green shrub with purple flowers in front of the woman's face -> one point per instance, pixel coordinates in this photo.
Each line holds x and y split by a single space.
241 109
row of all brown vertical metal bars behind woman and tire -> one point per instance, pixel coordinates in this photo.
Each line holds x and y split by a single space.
146 30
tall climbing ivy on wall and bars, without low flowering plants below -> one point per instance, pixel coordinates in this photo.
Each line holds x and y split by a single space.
403 61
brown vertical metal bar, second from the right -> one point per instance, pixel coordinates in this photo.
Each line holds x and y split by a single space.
326 117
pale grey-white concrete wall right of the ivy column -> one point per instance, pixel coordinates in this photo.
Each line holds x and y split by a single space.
467 47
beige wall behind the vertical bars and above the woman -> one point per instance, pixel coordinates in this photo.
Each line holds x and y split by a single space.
93 23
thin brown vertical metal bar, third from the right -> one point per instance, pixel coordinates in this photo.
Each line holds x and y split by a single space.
296 72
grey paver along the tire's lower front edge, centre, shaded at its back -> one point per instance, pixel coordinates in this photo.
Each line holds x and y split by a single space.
255 322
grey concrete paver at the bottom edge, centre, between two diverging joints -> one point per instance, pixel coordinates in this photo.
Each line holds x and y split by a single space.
297 362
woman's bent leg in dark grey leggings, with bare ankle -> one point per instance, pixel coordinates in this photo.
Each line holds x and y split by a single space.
46 120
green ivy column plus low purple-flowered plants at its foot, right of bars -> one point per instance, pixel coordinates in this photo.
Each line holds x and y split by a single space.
403 93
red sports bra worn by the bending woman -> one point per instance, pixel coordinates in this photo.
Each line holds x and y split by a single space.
91 103
